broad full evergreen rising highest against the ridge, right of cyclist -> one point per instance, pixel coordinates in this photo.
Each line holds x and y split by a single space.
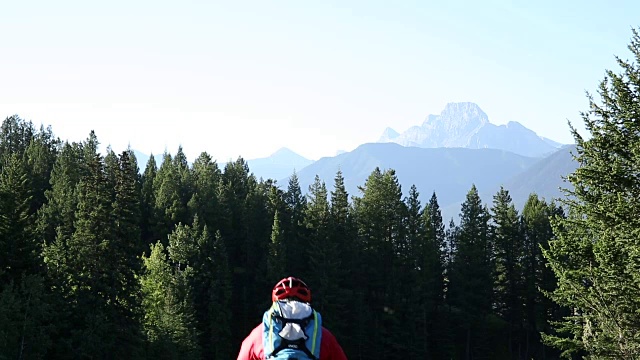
379 215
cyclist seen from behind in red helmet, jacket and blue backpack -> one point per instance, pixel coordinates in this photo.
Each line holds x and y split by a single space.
289 329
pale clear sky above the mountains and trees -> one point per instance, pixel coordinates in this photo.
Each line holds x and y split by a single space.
246 78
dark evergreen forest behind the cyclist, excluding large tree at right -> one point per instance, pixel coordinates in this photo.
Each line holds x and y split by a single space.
178 260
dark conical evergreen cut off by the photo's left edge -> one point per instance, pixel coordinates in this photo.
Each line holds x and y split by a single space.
24 312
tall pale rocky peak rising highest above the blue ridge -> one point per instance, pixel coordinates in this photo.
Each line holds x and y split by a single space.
465 125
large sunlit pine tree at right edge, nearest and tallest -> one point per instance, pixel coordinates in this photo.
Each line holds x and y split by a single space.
595 255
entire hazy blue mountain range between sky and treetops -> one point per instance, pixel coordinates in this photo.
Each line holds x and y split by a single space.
447 154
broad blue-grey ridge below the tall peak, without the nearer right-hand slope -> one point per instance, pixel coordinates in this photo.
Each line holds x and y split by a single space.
449 172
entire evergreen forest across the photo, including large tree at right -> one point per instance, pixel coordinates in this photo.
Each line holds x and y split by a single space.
105 258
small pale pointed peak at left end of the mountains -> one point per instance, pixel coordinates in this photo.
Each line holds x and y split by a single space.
278 165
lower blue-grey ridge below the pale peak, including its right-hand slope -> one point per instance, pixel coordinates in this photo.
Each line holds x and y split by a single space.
449 172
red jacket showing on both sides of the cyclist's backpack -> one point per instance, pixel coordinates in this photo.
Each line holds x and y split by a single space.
251 348
